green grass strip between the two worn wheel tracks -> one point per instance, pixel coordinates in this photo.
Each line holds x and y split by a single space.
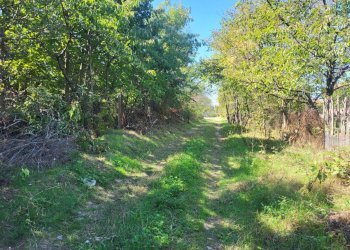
162 217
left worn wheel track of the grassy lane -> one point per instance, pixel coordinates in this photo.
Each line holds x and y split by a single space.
119 197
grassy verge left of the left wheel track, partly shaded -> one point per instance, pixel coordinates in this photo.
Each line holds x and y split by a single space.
42 205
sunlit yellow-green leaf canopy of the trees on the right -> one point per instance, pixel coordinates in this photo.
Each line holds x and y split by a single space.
271 46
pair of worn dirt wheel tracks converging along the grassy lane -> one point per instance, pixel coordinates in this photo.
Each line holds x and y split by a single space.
113 205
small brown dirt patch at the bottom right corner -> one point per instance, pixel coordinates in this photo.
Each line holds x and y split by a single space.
340 223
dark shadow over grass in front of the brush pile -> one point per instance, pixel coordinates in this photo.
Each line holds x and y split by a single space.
42 204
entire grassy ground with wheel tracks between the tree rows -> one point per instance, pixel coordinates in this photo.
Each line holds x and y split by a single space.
182 187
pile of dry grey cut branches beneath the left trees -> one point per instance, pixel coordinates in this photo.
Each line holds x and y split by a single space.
19 147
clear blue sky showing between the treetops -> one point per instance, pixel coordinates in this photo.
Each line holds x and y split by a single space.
207 16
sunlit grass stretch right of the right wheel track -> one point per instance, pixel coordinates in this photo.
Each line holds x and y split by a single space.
264 197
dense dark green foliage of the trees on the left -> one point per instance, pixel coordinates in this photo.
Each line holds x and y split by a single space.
93 64
